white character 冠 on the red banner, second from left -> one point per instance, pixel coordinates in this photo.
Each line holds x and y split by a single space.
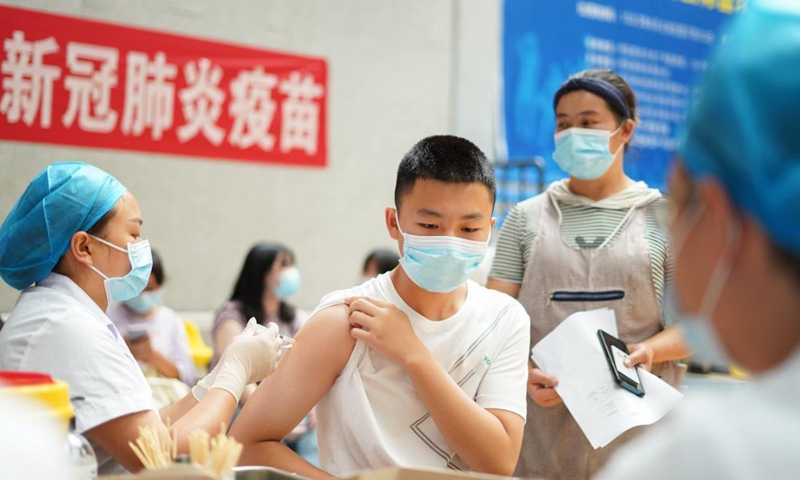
90 87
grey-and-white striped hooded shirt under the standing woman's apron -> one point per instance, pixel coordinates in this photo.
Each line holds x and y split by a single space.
582 227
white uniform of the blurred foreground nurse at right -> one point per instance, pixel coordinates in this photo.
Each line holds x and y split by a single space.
754 433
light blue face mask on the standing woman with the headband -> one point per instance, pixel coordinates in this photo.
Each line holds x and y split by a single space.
584 152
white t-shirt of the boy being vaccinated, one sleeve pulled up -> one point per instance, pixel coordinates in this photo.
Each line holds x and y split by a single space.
372 416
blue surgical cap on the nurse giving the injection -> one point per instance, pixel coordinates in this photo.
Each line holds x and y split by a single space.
63 199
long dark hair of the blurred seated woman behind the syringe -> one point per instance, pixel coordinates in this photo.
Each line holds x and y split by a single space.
250 286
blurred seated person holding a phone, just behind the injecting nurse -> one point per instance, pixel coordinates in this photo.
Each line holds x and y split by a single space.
155 333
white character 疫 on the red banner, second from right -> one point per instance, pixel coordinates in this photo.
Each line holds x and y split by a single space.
252 108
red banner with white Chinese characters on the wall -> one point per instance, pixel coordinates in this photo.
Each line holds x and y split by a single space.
73 81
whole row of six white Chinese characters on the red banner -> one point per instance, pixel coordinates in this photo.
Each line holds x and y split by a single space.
87 77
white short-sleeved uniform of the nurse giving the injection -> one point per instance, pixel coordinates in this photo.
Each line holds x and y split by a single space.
57 329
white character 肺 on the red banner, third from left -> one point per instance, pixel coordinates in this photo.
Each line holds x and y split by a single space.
149 95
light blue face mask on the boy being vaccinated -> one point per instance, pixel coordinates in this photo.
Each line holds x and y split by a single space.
440 264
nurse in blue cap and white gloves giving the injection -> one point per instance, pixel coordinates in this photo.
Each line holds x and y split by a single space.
73 244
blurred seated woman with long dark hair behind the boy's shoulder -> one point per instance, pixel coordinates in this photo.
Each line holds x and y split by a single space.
268 277
